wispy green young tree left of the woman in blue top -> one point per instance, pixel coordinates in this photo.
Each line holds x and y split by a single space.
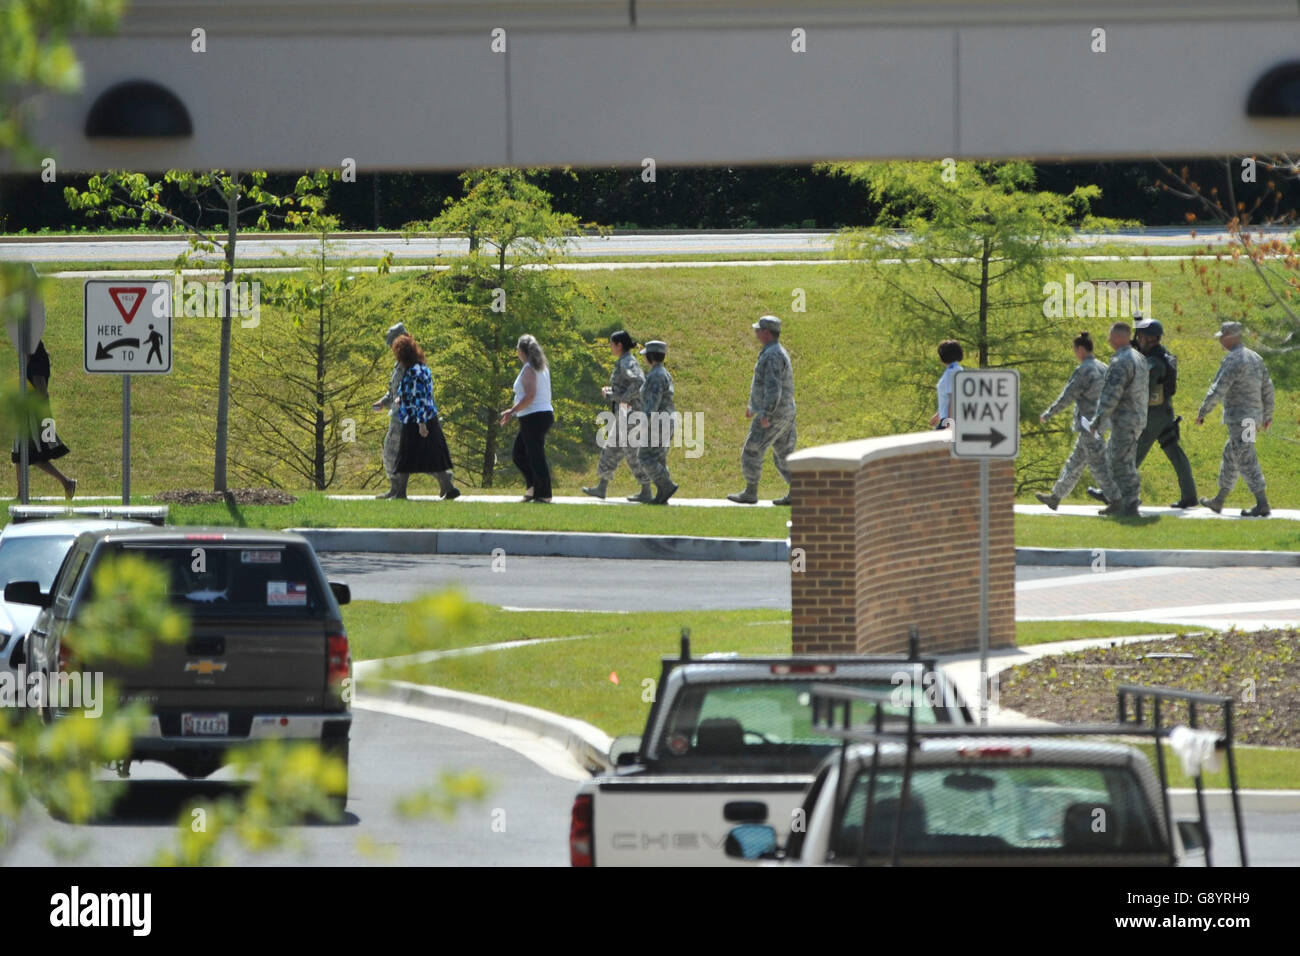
305 375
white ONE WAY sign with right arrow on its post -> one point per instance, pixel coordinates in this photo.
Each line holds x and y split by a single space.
986 425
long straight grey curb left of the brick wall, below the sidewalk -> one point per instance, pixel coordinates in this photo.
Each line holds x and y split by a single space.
545 544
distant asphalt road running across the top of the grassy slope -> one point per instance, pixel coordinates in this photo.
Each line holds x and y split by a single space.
114 249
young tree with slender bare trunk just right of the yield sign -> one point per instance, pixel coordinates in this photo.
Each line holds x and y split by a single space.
135 198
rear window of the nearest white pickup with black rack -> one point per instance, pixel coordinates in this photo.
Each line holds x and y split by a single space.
993 811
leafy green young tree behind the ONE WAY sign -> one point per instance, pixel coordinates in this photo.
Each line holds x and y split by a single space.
961 250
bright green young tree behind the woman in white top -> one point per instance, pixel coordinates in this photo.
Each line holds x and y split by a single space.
504 288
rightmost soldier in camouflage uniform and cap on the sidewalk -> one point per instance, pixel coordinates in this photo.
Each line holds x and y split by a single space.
1246 390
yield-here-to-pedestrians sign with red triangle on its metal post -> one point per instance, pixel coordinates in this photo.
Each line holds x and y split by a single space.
128 332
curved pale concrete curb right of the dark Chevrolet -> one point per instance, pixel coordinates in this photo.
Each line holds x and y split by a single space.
587 745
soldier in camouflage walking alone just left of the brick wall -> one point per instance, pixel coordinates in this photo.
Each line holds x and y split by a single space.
772 413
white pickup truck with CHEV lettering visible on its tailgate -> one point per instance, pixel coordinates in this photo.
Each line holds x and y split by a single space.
730 741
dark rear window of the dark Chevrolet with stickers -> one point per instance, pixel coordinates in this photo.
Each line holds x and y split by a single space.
241 581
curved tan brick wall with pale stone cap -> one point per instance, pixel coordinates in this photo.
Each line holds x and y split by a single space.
887 531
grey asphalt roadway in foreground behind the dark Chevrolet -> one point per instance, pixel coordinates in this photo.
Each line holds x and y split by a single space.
391 758
